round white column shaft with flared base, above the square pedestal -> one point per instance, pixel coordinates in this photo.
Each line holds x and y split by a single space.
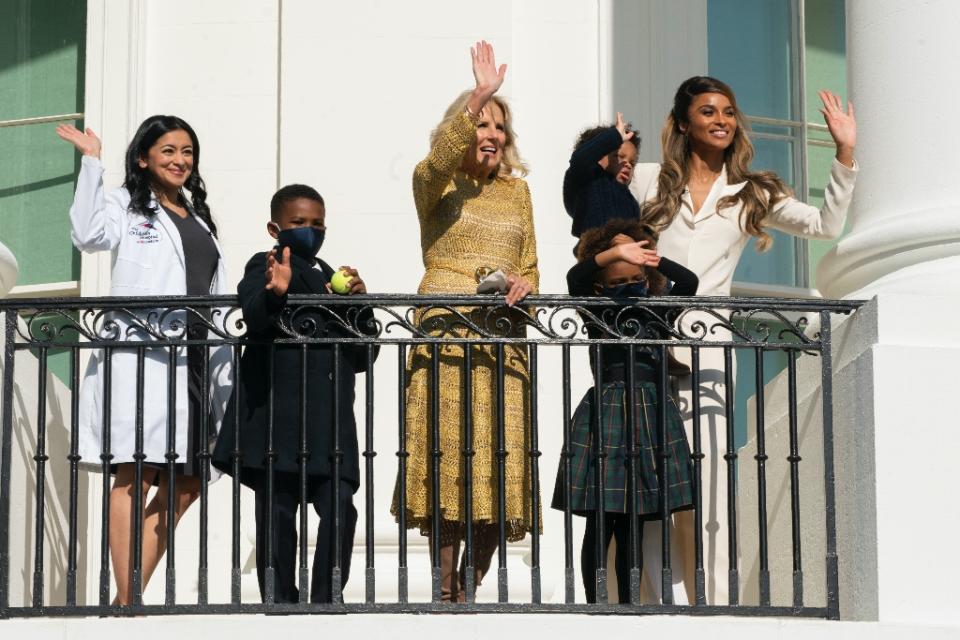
905 224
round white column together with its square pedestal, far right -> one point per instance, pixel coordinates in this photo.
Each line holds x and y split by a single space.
895 389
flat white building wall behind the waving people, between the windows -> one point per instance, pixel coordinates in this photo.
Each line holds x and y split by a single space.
343 97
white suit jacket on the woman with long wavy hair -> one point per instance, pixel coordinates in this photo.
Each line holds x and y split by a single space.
710 243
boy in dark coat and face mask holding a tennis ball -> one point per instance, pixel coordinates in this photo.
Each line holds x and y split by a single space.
297 222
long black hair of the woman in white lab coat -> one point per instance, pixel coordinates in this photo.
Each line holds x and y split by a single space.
138 179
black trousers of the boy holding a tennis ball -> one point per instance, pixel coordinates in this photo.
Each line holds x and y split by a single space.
286 501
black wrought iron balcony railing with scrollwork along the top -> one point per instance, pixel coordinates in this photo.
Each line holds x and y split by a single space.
55 548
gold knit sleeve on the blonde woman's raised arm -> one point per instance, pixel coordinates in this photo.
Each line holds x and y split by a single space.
432 174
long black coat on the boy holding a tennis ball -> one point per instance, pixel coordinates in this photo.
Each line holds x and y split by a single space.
249 406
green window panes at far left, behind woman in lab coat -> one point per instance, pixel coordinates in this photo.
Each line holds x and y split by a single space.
41 74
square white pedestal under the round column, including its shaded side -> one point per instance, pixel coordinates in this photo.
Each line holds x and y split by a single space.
895 442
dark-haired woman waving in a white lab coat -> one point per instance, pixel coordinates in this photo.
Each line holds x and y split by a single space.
162 243
